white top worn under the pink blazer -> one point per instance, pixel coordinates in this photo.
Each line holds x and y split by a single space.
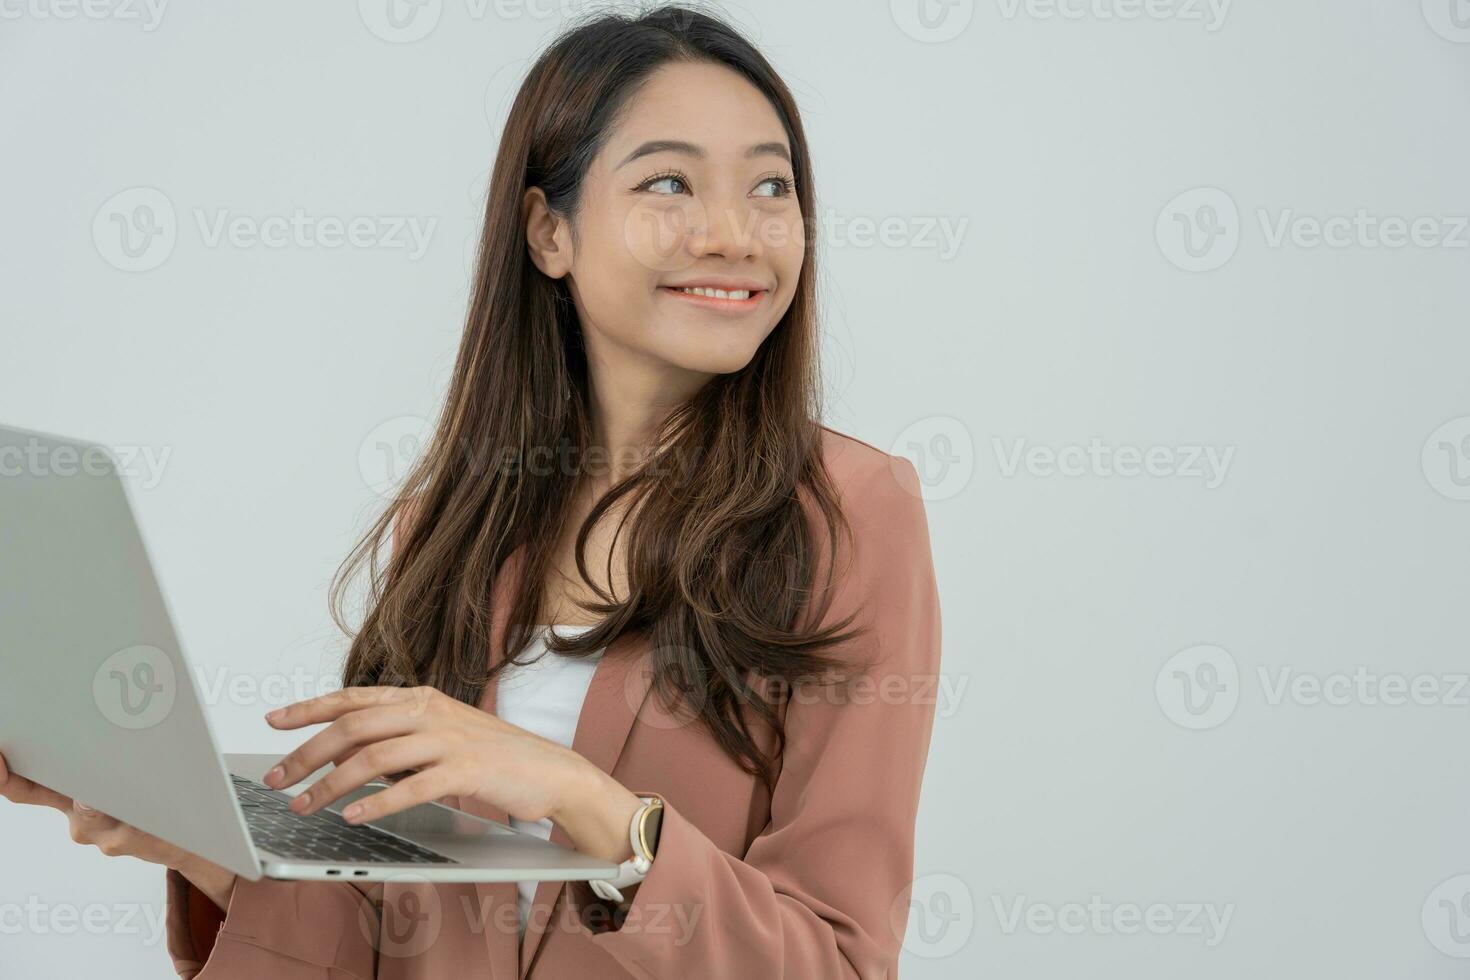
545 697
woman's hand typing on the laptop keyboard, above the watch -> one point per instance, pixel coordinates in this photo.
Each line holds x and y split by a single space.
458 752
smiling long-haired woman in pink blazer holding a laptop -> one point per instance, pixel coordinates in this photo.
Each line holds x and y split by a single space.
746 609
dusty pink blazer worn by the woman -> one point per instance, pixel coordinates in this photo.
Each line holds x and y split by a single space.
808 882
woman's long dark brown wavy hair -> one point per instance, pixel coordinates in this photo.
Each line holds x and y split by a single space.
723 556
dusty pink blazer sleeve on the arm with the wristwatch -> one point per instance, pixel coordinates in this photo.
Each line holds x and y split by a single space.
824 890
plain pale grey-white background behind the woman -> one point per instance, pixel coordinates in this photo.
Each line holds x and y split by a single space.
1055 145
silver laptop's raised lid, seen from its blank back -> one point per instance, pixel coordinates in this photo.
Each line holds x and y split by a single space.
96 699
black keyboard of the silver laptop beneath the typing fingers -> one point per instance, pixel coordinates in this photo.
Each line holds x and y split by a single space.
321 837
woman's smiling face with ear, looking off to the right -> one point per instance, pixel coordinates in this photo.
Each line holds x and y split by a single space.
693 189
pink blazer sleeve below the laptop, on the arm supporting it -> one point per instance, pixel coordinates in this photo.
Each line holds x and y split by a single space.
286 931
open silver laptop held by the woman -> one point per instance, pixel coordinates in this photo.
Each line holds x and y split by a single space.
98 702
